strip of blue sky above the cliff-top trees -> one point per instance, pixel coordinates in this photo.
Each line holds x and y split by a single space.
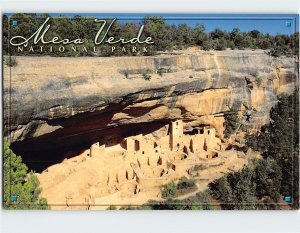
265 23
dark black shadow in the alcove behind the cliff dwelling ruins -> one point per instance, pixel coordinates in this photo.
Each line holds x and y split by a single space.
40 153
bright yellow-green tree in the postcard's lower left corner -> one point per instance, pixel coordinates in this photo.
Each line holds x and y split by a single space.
18 182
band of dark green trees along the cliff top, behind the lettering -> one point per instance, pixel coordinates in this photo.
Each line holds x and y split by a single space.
166 37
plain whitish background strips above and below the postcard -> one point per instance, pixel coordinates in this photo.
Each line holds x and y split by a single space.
149 221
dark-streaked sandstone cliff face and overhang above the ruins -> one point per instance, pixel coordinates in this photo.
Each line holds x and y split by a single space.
62 103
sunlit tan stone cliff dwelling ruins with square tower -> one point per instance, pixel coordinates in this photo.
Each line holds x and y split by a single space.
138 166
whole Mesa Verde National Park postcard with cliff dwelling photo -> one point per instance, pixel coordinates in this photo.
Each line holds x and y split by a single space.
150 111
